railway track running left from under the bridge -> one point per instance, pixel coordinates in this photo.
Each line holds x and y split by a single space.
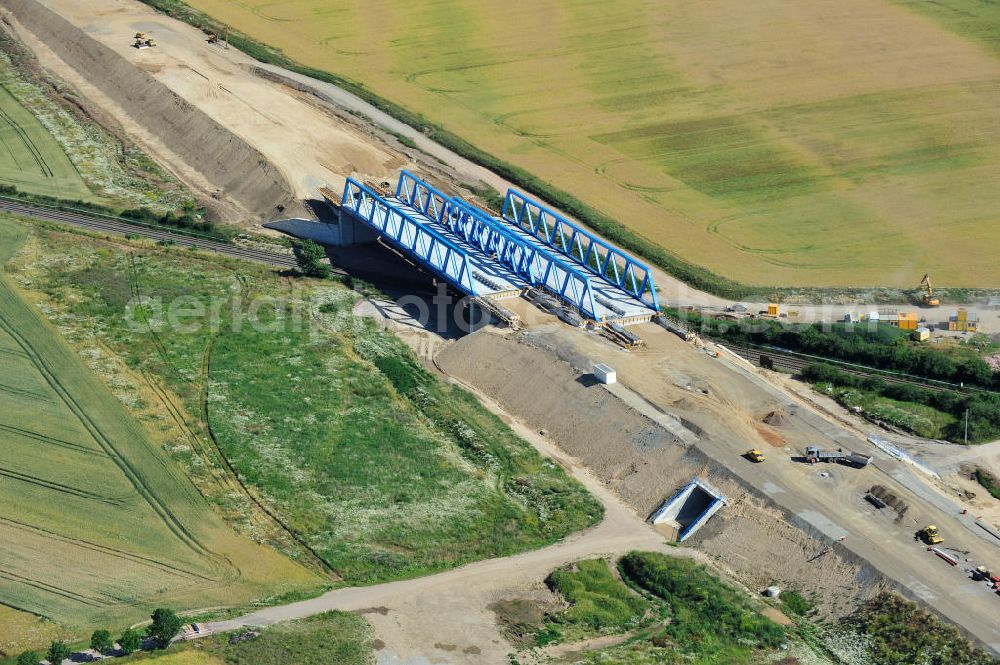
113 225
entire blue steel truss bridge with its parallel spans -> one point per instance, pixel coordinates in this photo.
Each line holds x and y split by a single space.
495 256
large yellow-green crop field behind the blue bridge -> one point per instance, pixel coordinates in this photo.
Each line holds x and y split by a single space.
840 144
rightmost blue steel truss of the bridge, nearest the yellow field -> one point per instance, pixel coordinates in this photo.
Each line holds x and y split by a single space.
593 254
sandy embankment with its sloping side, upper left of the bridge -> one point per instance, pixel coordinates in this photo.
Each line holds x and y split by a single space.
308 145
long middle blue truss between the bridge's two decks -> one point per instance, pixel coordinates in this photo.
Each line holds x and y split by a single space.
492 237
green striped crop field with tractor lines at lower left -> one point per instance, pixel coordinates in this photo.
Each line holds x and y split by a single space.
97 525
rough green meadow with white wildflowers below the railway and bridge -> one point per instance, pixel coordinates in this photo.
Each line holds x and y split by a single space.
379 470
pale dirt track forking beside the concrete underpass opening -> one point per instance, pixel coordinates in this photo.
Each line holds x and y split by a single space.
445 618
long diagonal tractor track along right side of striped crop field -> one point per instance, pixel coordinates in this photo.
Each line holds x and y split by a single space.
170 520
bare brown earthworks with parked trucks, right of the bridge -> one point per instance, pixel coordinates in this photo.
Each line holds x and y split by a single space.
725 403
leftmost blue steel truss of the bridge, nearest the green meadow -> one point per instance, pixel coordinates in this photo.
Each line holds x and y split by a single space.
434 251
